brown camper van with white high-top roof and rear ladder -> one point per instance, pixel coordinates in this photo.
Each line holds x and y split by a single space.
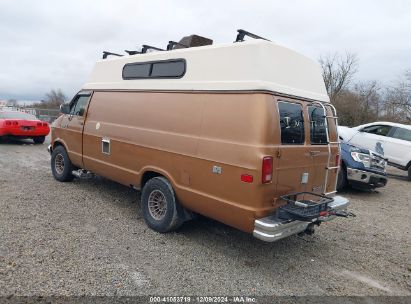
242 133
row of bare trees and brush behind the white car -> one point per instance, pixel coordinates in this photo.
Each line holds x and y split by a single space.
360 102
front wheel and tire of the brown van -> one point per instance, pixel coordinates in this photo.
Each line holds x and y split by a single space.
61 166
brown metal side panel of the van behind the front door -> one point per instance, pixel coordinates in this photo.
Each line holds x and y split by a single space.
185 135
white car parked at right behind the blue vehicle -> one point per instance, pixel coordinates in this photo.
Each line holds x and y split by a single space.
389 139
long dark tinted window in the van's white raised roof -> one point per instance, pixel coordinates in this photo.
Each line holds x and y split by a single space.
155 69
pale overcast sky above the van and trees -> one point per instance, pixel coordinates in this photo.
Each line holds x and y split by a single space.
47 45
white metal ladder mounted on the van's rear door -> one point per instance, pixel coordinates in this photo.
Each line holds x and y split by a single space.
330 165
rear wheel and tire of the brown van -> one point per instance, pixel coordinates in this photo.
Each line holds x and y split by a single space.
161 210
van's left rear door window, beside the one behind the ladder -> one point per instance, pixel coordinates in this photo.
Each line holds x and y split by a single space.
291 123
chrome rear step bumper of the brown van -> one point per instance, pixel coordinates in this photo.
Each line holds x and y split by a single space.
271 229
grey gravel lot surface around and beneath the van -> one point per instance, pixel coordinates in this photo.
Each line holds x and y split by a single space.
88 237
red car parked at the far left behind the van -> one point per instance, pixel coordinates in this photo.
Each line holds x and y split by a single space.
23 125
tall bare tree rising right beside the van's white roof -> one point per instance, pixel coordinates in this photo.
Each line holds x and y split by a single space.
338 71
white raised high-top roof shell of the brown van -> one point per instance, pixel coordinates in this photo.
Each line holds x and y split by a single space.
250 65
